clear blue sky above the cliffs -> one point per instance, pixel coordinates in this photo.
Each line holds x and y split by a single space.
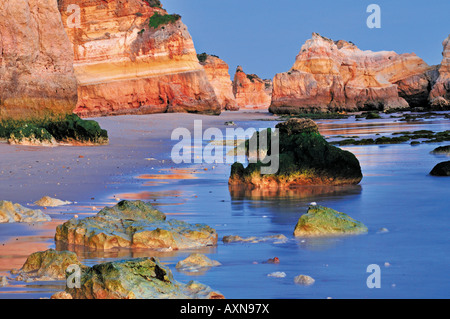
264 36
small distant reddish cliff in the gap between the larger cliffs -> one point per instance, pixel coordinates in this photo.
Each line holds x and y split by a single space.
251 91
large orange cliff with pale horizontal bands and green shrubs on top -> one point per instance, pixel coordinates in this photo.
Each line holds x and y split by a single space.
131 57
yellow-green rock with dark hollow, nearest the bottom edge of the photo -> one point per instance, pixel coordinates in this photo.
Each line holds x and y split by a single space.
142 278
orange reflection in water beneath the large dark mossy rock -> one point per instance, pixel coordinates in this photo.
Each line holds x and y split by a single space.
295 193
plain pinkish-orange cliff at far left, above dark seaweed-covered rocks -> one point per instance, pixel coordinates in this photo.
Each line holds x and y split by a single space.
36 68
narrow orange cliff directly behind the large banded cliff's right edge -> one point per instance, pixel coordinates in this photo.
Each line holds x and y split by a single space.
218 75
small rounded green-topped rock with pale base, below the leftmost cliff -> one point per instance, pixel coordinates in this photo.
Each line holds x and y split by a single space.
31 135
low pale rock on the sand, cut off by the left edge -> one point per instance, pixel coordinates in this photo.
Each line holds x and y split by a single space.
16 213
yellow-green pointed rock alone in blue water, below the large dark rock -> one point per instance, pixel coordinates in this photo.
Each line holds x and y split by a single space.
323 221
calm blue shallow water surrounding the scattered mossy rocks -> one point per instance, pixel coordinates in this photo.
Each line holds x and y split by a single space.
396 193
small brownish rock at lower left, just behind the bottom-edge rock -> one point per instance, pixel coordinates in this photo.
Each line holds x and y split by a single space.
49 264
